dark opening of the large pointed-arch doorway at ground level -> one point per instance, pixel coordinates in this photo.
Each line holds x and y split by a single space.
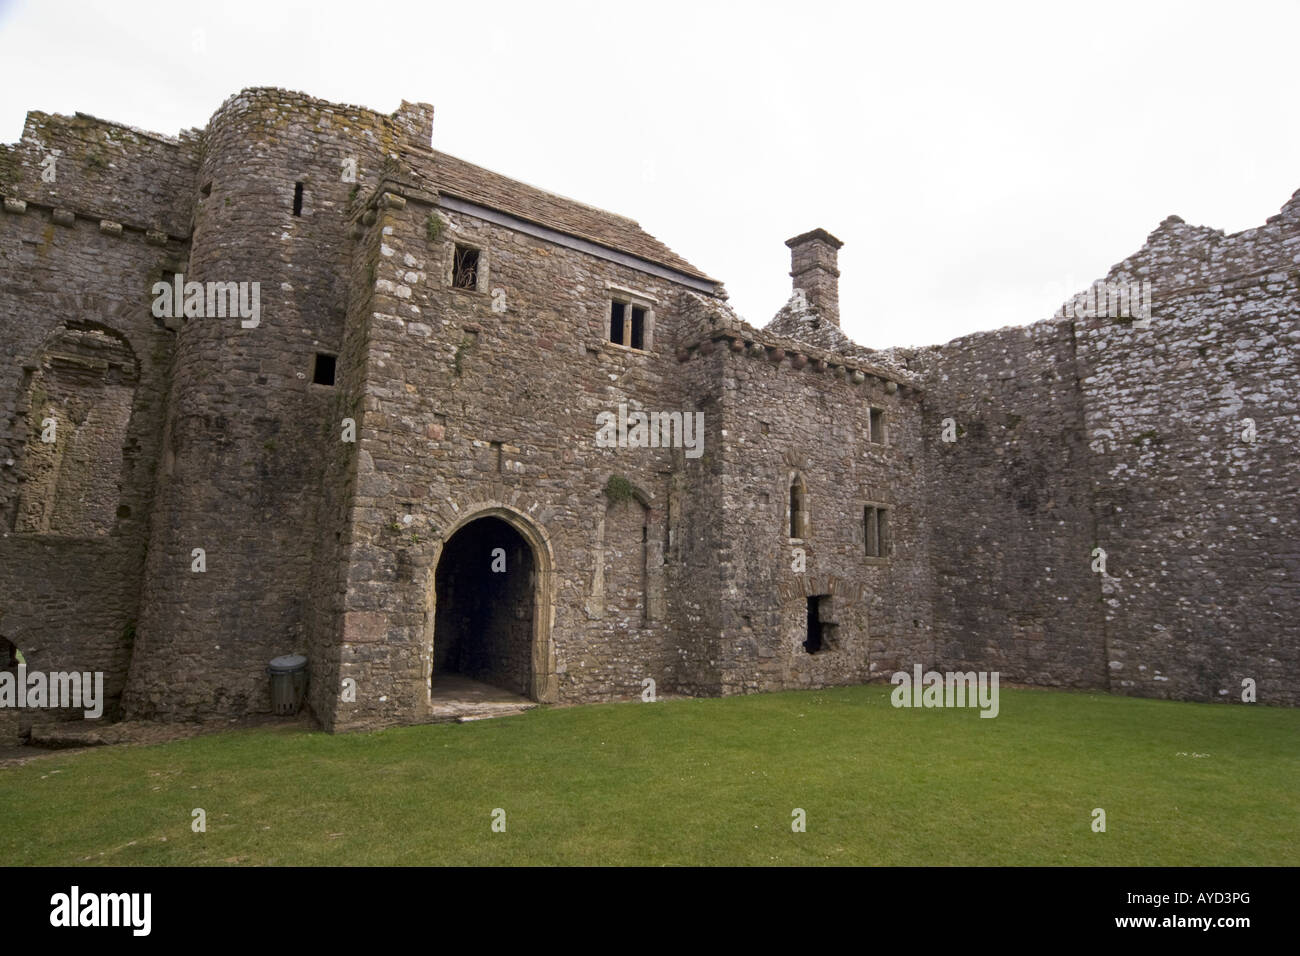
486 608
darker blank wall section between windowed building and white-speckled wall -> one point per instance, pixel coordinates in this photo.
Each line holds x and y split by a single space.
1012 526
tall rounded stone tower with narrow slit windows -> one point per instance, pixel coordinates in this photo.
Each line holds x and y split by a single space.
249 432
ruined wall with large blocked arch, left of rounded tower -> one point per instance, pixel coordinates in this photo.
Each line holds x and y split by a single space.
80 253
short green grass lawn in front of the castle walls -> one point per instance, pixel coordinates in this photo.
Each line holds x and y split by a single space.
694 782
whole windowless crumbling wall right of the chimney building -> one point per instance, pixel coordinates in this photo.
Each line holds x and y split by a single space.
1095 432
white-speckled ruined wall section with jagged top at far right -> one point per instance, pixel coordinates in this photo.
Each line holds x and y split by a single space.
1199 512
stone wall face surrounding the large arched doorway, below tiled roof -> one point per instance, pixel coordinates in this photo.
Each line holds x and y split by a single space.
486 401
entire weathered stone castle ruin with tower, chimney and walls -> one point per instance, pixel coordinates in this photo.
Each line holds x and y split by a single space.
424 387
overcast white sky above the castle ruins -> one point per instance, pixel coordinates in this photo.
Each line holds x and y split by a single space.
980 161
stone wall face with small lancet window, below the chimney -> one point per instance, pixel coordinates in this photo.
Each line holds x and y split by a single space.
792 416
